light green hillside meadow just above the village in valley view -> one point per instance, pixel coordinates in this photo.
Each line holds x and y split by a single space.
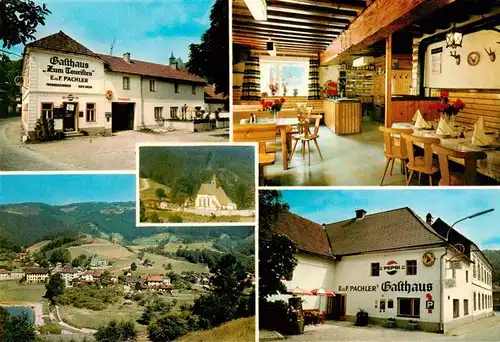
123 258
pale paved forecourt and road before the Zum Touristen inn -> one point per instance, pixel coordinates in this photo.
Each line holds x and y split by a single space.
85 153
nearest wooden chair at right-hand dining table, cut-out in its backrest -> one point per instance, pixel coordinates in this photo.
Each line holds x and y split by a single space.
468 177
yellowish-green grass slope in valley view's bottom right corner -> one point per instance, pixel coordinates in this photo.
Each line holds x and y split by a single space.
241 330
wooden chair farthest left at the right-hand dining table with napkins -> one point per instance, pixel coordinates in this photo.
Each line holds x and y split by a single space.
394 148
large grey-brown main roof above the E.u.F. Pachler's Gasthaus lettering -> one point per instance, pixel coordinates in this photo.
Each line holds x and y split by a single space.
393 229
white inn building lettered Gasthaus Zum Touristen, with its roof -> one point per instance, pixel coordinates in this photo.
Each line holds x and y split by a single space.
97 93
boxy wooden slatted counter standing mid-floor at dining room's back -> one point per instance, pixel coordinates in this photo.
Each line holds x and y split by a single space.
343 116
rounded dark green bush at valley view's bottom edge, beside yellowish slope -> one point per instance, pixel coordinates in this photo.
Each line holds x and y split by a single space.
167 328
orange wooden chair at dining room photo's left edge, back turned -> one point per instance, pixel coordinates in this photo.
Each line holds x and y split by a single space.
260 133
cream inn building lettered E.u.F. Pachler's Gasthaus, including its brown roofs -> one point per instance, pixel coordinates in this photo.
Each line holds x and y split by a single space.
391 264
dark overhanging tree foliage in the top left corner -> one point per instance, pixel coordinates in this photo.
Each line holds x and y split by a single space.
19 20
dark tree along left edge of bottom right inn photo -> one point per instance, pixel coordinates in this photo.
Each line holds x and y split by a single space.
276 252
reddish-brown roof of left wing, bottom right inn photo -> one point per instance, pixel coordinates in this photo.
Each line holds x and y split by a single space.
307 235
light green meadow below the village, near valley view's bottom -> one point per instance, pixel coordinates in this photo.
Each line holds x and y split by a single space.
85 318
